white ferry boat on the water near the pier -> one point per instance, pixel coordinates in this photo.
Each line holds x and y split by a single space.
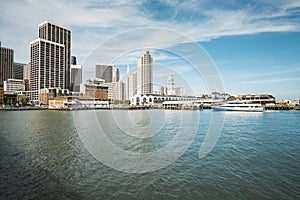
239 106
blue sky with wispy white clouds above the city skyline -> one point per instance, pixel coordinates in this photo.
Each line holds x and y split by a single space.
232 46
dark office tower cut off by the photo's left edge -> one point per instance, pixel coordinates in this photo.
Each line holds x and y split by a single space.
6 63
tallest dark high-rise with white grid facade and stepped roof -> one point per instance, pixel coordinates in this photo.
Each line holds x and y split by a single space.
50 56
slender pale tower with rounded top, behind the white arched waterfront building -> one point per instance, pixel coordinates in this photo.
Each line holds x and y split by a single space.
145 74
